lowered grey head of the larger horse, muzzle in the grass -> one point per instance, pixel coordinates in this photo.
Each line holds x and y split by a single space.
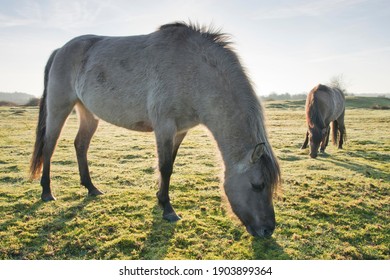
250 190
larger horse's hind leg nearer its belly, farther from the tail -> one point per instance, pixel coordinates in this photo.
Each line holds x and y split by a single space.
88 126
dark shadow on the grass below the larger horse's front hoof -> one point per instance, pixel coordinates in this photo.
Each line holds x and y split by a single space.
159 238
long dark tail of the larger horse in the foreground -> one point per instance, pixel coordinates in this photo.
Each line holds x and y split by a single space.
37 157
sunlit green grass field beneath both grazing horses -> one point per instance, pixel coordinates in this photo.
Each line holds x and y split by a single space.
334 207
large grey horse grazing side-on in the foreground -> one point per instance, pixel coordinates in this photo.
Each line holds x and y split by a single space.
168 82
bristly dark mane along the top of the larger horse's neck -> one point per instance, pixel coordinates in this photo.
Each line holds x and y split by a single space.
210 33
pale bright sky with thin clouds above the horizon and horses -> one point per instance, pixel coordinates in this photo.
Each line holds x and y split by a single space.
285 45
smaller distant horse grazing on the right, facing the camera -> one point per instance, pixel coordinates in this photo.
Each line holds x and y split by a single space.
324 105
